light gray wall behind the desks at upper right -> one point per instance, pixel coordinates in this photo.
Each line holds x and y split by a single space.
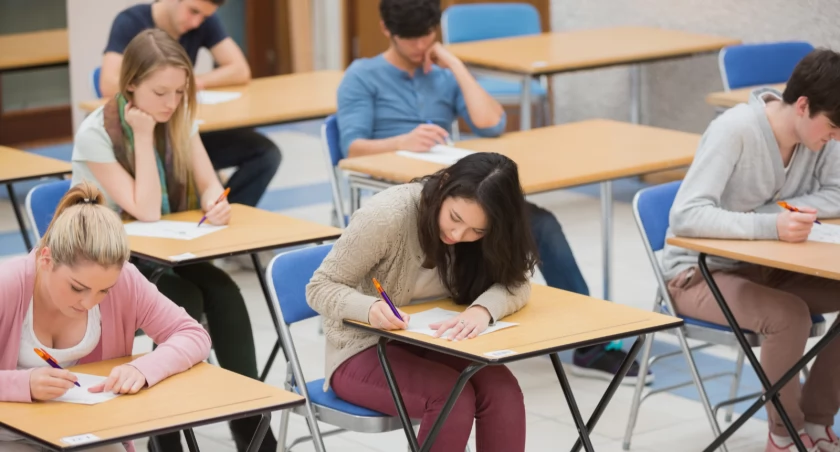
673 91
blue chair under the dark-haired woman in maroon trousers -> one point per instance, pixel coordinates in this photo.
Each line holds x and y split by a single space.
288 274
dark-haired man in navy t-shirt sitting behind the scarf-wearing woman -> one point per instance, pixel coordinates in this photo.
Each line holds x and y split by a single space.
194 24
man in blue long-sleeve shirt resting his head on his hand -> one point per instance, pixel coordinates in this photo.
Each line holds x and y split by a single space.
407 98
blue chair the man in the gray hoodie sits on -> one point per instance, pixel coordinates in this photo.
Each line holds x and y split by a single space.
651 208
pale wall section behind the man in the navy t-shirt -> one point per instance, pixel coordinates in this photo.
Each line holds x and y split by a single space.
88 25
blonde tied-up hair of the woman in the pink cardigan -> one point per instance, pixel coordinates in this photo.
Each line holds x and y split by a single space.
84 230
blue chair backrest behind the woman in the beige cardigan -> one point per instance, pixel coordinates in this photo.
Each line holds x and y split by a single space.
288 275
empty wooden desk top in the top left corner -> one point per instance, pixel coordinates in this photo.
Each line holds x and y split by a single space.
34 49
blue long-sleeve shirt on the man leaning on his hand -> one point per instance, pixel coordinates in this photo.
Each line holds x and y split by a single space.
377 100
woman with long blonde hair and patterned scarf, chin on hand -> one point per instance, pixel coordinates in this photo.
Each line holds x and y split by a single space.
142 149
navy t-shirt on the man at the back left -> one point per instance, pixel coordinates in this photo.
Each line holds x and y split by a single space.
137 18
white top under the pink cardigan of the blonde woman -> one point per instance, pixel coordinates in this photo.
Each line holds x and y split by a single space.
28 359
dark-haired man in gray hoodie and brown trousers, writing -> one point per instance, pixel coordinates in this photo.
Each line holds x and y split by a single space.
778 147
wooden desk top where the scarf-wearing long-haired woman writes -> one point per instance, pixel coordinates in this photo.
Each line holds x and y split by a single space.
250 230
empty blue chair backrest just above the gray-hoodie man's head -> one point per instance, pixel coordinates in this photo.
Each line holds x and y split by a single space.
760 64
